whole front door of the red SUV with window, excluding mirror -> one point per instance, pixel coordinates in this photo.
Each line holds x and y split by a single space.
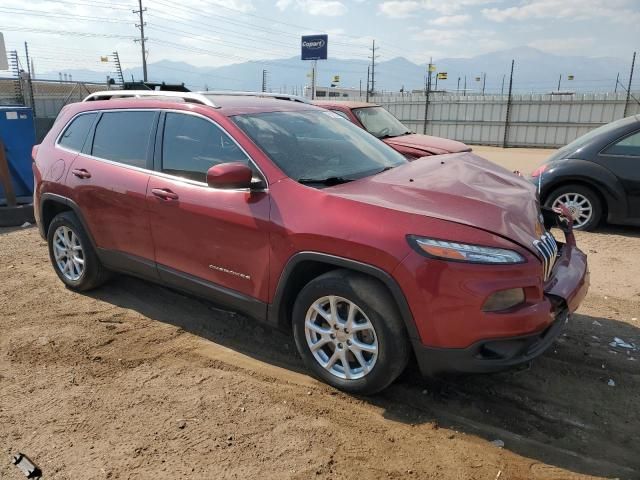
220 236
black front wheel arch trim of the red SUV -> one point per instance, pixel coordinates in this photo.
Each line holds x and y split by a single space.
305 266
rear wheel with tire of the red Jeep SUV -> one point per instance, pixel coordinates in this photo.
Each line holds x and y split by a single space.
72 254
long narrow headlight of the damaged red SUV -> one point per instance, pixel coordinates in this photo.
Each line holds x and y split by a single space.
463 252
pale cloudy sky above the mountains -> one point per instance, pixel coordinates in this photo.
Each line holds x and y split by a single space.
75 33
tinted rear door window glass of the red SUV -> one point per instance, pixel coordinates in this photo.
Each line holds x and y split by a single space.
124 137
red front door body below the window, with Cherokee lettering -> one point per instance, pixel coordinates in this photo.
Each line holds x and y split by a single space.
216 235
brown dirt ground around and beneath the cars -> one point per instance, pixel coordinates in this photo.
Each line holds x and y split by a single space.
135 381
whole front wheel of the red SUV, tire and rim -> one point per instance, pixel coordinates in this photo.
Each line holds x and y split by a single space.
349 332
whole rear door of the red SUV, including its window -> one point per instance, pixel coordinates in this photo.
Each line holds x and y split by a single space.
109 181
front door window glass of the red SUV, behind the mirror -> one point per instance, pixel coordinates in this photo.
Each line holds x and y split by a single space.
191 145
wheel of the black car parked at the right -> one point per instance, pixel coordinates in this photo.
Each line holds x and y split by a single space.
583 203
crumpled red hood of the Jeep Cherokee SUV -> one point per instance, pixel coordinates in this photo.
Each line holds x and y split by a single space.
462 188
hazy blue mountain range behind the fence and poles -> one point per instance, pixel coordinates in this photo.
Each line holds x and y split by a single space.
534 71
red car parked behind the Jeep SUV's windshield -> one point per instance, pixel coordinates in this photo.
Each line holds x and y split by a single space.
380 123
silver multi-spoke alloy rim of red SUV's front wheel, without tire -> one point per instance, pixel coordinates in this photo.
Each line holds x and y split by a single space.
341 337
